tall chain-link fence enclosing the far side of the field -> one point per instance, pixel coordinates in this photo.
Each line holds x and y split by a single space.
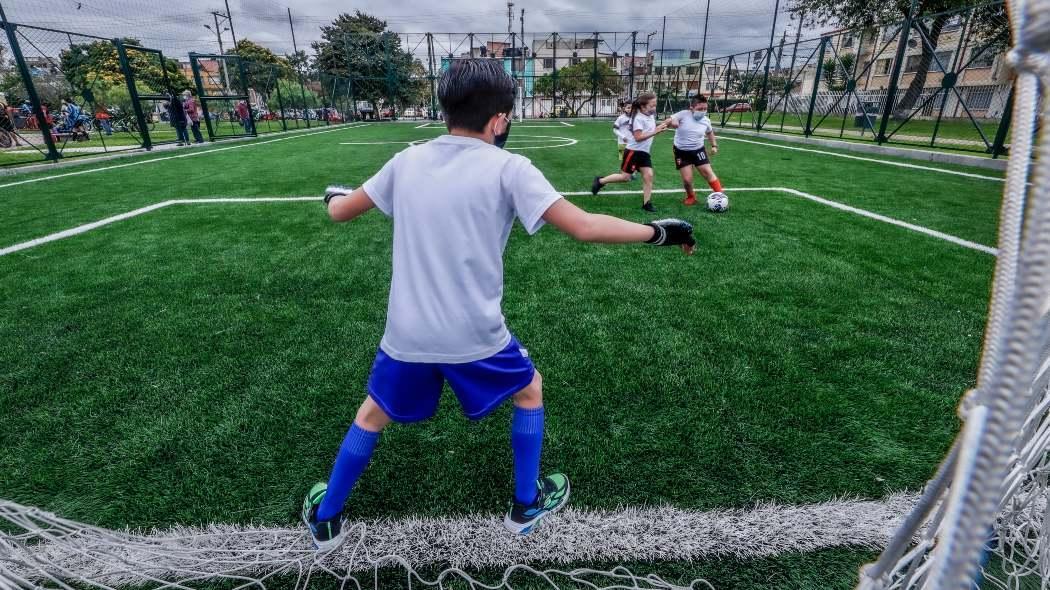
933 80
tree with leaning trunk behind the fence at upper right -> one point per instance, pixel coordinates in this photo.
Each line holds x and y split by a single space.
868 15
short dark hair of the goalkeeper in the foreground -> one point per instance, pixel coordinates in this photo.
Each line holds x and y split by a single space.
474 91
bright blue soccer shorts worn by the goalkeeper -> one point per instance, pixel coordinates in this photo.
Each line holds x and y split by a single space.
409 392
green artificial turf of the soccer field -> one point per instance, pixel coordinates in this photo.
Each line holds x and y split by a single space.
202 363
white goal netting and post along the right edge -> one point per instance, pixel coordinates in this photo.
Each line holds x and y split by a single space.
983 515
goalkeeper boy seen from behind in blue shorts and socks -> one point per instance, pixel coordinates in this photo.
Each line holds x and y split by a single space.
453 203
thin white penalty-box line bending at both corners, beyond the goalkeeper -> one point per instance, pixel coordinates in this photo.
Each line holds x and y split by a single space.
863 213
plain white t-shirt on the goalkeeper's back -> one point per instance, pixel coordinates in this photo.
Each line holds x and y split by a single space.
454 201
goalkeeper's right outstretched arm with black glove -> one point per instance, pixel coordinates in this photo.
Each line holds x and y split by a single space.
606 229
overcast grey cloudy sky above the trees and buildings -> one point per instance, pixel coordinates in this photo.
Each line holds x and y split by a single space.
178 27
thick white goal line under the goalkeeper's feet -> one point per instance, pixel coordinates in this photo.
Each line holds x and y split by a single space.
477 541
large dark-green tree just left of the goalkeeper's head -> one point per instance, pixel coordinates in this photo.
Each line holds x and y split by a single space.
362 49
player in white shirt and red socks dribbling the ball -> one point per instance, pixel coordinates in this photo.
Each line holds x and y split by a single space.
691 128
